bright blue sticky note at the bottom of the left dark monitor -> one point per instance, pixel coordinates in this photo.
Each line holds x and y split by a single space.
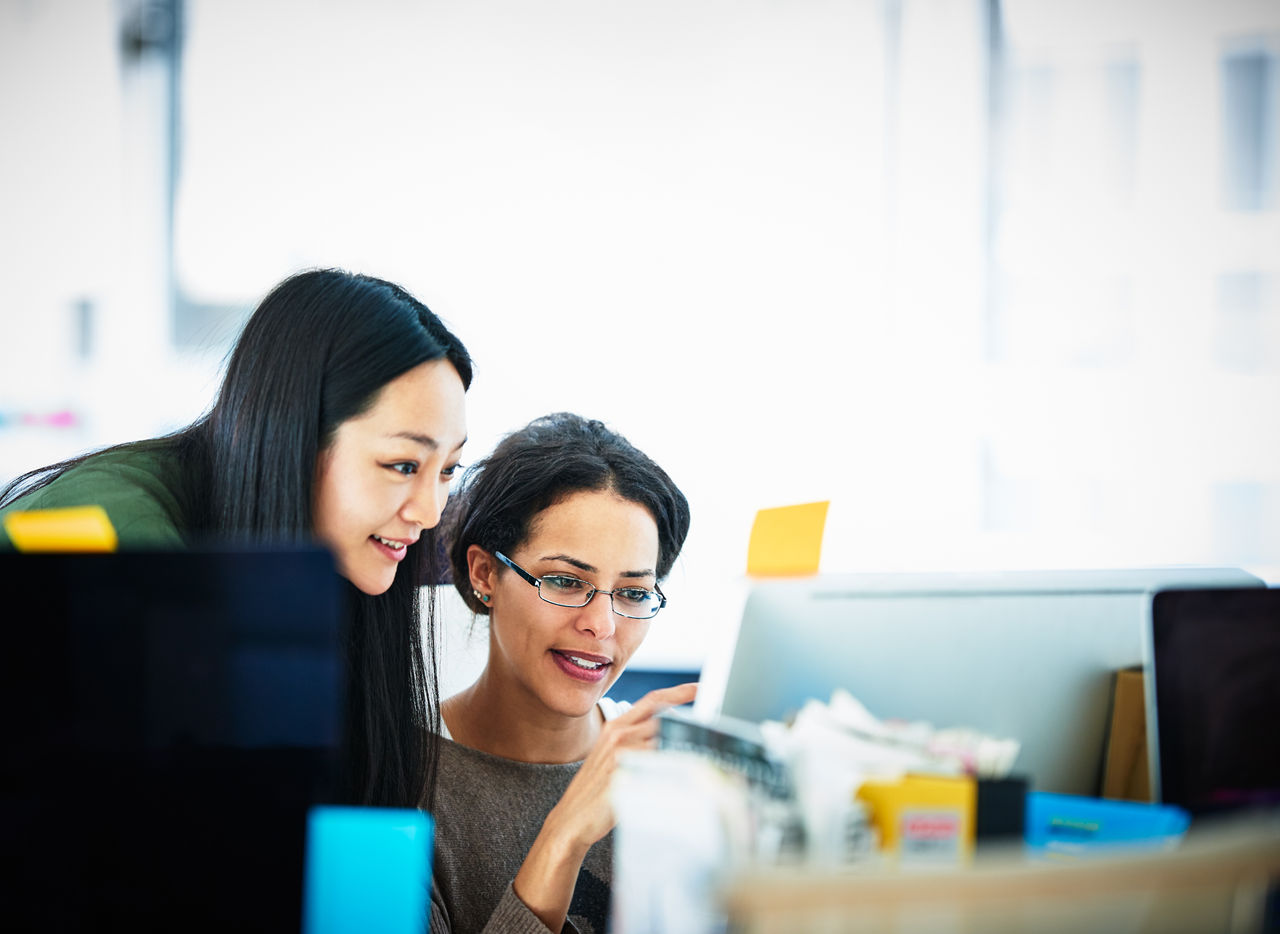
368 869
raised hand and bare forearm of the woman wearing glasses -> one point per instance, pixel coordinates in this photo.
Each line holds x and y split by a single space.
584 814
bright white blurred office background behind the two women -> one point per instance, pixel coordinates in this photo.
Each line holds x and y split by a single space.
999 278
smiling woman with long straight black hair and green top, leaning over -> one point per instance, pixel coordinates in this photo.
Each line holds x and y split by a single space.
341 420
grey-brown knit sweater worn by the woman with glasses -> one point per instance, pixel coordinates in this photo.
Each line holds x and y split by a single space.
488 811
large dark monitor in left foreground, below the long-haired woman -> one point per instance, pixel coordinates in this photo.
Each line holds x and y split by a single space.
171 718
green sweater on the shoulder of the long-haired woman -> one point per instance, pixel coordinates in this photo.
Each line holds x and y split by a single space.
141 489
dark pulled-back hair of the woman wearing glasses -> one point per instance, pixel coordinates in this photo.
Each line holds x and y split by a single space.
538 466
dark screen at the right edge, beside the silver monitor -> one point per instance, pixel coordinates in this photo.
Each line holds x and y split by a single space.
1215 657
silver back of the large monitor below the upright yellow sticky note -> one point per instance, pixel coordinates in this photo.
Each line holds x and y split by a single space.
1027 656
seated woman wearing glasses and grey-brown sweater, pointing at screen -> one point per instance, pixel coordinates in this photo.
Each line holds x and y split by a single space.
560 538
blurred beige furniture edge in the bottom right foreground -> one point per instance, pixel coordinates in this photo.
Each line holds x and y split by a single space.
1217 881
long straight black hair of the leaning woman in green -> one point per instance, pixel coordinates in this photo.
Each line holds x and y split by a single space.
314 354
